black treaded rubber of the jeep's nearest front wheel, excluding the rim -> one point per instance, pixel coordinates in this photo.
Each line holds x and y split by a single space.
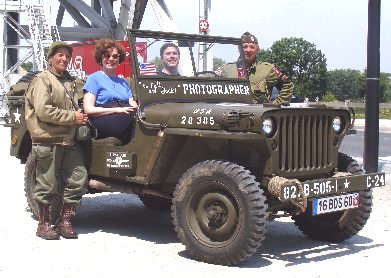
255 196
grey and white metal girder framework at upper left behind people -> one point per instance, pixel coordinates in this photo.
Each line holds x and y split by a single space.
92 21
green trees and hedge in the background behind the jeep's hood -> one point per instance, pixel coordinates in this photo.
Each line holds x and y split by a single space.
307 67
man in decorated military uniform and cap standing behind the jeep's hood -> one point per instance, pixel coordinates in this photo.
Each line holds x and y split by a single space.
263 76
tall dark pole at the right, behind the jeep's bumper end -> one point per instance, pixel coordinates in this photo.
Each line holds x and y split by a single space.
371 137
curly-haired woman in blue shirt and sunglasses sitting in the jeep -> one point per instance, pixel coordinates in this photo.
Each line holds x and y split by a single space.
108 100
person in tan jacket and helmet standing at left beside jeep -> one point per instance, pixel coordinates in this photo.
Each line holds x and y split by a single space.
52 118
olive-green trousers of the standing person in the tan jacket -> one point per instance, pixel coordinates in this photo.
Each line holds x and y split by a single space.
60 170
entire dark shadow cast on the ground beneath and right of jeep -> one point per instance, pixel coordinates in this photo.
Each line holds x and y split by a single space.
125 215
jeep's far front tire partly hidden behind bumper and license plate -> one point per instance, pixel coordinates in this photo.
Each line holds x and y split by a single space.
341 225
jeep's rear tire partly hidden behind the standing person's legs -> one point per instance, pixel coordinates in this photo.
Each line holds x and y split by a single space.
29 185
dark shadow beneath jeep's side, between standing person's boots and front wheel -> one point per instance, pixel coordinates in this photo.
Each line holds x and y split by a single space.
125 215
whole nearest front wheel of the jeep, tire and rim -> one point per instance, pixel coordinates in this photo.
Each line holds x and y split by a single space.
219 212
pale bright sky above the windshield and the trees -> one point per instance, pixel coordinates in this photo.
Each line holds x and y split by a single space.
338 28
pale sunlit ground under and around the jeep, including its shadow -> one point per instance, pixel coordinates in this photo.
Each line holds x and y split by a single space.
119 237
